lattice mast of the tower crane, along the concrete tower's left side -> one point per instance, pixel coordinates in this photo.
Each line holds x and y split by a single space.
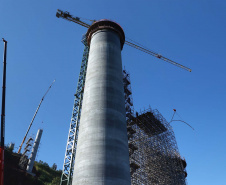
68 167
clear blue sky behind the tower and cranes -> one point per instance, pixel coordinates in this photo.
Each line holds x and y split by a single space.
42 48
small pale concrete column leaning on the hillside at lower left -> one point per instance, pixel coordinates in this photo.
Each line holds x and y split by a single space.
34 151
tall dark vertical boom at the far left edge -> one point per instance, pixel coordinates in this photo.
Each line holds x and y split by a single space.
3 117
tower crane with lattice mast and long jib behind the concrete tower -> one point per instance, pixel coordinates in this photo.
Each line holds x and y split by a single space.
67 171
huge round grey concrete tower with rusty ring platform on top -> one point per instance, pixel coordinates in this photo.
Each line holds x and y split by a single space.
102 156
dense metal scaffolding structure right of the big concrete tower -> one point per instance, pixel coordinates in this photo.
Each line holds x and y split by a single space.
154 155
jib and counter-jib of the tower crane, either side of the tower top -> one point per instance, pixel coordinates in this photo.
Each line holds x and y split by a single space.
66 15
